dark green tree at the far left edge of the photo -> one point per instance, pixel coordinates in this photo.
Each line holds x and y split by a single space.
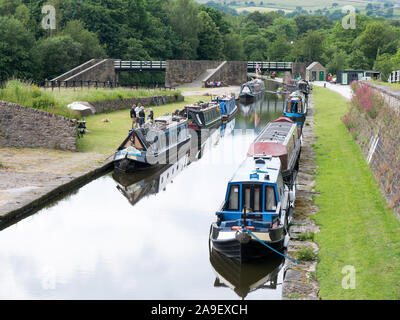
15 49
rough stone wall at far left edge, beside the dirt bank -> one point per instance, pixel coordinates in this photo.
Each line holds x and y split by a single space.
31 128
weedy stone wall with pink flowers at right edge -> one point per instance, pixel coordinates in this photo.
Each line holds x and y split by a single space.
375 125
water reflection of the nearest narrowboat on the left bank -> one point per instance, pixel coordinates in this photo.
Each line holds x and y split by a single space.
142 184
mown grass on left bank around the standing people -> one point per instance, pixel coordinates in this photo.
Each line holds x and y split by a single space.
105 137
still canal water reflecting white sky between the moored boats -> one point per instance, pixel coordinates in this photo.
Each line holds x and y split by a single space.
144 236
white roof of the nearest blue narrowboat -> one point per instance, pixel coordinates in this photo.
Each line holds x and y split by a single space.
258 169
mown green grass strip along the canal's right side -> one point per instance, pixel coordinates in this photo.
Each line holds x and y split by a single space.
356 229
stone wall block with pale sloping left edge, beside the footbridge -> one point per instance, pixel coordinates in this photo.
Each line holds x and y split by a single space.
231 73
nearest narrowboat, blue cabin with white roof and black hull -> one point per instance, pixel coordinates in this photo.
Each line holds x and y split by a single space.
257 209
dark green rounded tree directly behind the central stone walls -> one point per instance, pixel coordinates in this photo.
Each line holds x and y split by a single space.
210 39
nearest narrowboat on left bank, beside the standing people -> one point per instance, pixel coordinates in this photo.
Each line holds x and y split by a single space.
154 144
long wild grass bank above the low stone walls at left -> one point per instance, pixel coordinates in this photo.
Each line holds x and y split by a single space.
56 101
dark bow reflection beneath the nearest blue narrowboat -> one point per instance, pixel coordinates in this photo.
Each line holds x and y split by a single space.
244 278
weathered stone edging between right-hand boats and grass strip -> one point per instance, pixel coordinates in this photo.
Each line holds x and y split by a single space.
300 279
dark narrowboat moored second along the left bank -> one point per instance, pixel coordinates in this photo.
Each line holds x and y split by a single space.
202 115
